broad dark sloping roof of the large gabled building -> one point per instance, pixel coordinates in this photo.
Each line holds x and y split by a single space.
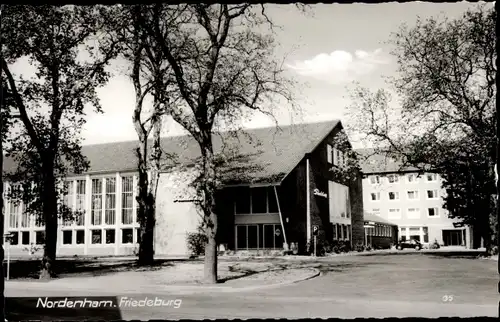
263 154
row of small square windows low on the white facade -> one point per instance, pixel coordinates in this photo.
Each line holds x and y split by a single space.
77 237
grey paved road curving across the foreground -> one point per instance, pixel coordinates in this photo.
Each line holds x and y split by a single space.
400 286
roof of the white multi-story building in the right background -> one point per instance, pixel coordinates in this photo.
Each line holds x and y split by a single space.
373 162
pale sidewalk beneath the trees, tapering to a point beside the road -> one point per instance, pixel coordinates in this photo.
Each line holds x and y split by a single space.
164 281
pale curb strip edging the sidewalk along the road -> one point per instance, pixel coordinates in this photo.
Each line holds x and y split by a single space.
50 286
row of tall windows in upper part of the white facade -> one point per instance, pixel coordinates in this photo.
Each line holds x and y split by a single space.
104 205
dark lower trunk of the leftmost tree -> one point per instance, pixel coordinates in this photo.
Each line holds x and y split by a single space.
50 215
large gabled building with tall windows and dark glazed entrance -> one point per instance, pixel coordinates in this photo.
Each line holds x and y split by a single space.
277 188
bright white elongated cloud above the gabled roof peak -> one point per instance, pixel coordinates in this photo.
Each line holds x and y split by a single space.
340 66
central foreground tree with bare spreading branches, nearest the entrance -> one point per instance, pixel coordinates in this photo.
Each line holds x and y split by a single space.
224 69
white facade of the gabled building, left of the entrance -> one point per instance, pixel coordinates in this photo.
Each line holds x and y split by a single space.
109 224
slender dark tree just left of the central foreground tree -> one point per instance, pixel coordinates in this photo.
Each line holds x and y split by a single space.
152 78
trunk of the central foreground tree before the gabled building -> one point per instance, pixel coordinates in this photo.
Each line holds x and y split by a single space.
208 191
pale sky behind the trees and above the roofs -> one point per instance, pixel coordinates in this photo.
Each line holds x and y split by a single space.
327 48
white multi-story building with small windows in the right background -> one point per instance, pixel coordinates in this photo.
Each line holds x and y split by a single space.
411 199
